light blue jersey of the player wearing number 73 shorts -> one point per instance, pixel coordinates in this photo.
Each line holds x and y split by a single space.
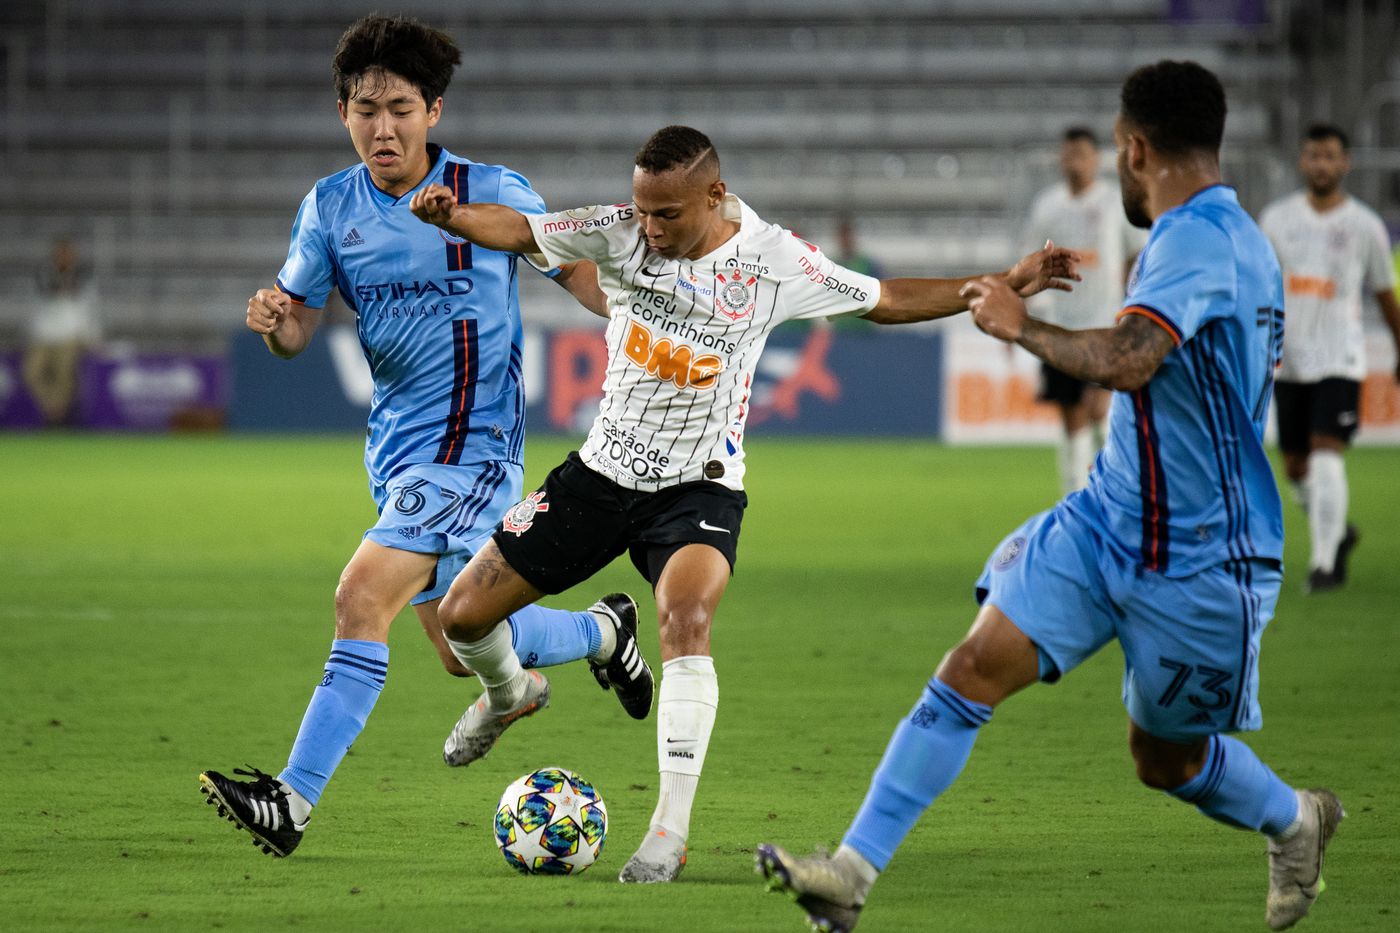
1184 483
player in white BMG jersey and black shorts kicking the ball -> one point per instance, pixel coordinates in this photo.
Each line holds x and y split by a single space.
695 284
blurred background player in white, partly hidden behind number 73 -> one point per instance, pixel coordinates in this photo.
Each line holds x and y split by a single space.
1083 214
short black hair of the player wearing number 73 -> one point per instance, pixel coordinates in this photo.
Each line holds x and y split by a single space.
1178 106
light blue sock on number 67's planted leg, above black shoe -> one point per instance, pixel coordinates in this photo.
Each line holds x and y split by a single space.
335 718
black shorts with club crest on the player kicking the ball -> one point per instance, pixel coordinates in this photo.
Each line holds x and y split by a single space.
576 525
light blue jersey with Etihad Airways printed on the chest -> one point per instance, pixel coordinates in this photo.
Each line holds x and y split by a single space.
439 319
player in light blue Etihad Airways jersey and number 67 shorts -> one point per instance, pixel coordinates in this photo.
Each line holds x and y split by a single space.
440 326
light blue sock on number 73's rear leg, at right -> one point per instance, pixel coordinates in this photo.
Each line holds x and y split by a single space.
1238 789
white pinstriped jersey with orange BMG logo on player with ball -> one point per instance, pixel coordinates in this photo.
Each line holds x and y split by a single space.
685 336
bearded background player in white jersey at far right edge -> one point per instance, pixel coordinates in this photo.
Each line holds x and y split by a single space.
1336 256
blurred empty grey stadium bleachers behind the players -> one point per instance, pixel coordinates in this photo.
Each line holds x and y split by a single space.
178 139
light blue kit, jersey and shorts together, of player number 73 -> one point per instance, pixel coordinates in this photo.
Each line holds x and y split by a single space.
1175 547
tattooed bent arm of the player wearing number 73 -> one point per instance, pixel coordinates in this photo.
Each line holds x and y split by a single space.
1121 358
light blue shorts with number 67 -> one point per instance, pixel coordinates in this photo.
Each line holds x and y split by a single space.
444 511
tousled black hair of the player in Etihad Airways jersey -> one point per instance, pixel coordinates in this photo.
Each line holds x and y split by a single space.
374 46
